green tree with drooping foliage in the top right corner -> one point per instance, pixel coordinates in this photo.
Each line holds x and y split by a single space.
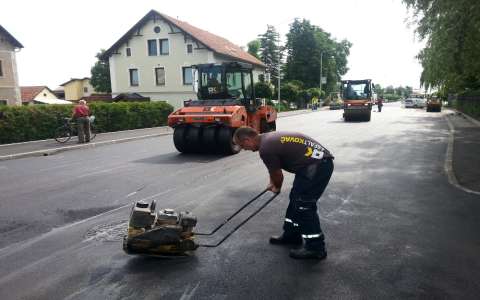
451 29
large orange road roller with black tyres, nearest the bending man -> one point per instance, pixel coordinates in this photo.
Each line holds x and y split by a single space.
226 101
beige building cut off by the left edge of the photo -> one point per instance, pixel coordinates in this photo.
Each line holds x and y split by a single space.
9 89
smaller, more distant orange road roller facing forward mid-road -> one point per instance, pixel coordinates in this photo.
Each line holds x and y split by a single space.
358 98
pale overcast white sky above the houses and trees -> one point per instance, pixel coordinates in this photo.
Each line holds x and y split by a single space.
62 37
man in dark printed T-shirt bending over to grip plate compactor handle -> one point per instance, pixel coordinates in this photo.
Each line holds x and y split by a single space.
312 165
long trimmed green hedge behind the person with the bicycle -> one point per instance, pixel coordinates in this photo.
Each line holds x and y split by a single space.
27 123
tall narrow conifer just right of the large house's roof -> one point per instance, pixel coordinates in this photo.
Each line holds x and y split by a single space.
270 53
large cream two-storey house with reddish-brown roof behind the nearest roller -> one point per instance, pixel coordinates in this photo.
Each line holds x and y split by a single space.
155 56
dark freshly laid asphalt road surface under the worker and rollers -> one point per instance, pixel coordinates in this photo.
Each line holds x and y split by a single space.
395 228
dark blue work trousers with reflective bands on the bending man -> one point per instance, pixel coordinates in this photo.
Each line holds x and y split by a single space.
302 218
